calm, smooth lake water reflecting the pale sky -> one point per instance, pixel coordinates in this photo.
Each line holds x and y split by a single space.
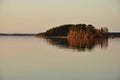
31 58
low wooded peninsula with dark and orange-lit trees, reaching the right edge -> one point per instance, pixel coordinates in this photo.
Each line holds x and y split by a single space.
81 31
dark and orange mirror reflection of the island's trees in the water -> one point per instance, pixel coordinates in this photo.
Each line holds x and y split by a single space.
80 44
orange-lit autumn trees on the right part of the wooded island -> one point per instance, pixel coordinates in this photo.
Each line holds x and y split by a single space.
83 31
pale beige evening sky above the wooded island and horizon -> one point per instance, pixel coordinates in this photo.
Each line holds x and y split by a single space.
34 16
